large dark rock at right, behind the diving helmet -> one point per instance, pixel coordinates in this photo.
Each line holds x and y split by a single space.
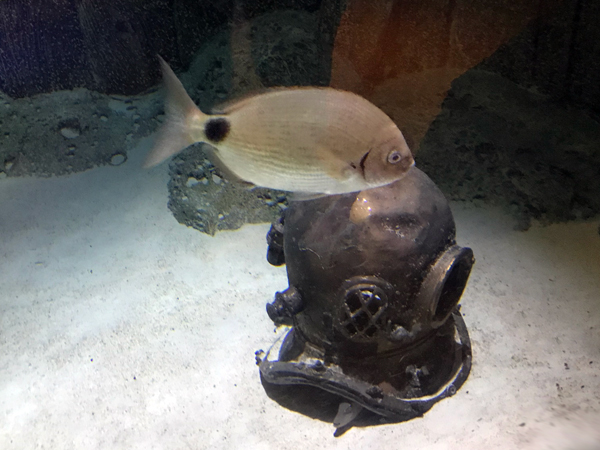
497 142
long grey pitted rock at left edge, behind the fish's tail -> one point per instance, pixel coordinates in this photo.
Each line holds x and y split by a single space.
62 118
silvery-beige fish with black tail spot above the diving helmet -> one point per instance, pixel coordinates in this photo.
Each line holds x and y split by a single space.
306 140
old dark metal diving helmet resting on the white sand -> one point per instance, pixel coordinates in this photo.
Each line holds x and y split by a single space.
373 329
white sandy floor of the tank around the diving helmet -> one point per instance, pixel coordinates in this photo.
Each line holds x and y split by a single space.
122 329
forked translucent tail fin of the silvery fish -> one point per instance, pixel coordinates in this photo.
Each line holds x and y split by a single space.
181 113
